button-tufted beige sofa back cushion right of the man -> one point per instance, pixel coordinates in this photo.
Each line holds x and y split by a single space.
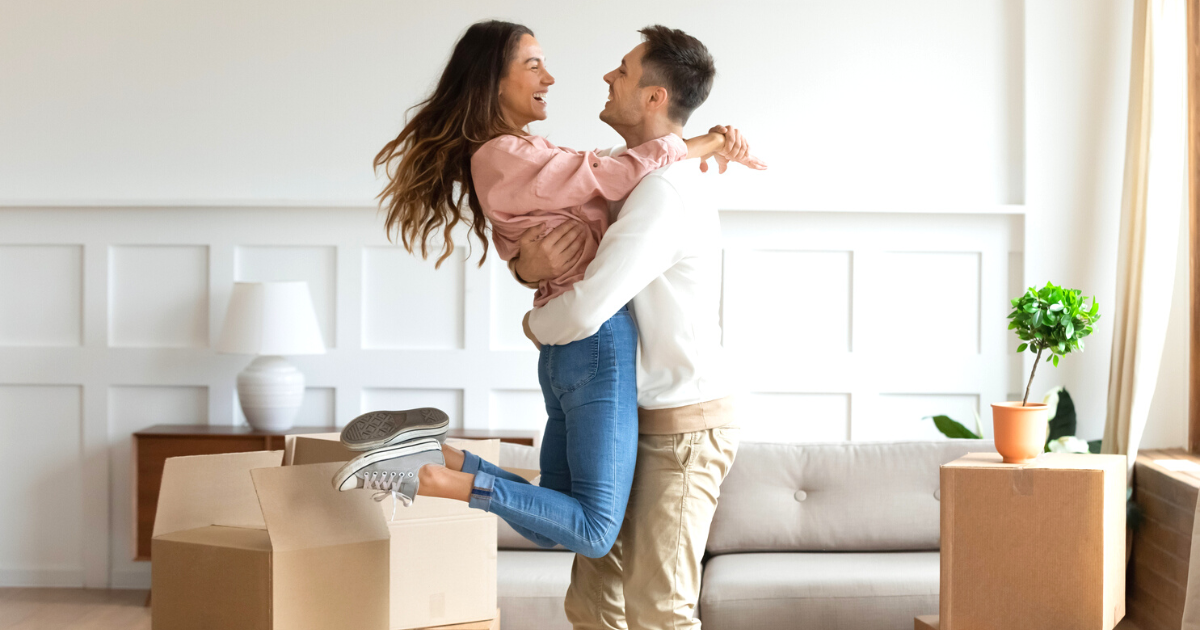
835 497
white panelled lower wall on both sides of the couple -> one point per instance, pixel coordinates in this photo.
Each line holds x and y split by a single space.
845 327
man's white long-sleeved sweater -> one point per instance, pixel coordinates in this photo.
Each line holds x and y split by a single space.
663 257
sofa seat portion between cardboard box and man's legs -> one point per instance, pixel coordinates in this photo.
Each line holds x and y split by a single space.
532 586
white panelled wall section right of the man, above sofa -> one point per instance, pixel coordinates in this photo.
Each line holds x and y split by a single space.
856 327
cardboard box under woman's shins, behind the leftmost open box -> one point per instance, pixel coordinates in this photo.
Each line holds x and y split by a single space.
443 554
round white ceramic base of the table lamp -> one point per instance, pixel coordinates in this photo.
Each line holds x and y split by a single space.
271 391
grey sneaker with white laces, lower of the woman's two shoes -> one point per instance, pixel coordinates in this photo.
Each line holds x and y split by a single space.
391 470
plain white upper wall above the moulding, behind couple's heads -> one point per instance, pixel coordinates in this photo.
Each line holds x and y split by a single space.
871 104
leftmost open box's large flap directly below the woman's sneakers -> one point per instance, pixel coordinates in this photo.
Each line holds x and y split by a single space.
303 511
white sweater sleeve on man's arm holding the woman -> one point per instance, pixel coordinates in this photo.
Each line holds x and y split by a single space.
646 241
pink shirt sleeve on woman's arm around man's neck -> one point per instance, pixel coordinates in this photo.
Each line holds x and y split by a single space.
520 177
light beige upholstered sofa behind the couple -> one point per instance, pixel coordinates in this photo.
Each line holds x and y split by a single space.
807 536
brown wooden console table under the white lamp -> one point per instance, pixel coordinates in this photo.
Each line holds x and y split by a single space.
154 446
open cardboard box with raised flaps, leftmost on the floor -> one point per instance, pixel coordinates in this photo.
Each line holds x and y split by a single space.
242 543
